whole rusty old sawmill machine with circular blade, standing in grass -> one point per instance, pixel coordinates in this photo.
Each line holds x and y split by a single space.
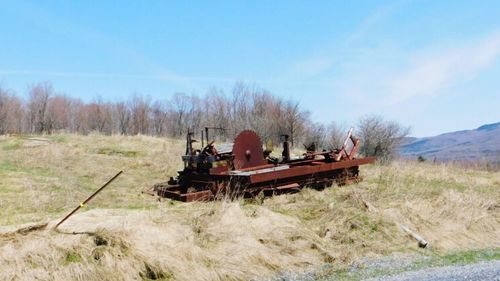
244 168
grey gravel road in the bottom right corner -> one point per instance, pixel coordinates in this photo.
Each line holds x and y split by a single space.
488 270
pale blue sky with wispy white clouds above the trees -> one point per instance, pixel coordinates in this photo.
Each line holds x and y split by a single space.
432 65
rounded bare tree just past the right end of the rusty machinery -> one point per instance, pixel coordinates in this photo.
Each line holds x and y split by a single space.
380 138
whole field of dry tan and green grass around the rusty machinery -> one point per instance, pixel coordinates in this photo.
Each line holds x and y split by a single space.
123 235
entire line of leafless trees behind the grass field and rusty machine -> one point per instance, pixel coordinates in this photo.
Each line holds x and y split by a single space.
246 107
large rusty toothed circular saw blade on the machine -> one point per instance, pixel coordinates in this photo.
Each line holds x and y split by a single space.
247 150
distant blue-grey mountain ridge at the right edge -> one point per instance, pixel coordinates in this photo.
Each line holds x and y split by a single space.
481 144
